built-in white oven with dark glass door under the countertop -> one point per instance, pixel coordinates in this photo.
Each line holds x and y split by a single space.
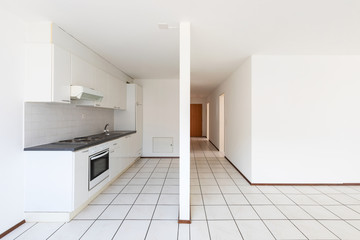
98 166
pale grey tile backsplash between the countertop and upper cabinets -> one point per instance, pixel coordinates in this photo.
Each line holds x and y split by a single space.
50 122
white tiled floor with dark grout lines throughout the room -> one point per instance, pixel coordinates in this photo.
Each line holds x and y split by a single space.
143 204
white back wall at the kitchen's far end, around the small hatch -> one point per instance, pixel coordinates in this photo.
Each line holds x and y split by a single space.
160 113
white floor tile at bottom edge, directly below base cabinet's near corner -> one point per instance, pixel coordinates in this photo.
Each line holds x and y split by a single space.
72 230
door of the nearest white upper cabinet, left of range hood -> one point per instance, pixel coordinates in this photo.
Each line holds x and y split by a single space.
61 75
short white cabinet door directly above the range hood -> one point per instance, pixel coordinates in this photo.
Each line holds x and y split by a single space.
82 73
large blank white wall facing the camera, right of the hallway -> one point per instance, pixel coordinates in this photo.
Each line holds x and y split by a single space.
306 119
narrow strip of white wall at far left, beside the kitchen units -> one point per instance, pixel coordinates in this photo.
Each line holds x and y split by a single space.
12 75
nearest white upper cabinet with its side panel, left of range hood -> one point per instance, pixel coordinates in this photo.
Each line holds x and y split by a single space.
48 70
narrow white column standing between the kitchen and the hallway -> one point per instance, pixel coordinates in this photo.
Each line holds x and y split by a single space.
184 171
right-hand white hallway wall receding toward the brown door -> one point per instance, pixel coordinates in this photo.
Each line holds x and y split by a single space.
237 89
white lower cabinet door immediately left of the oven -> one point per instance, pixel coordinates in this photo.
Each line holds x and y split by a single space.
81 178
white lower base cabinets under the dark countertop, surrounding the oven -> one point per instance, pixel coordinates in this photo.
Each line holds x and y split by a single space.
56 182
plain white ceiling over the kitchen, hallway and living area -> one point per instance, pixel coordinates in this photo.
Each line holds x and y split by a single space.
224 33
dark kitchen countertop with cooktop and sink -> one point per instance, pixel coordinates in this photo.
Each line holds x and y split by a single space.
75 146
